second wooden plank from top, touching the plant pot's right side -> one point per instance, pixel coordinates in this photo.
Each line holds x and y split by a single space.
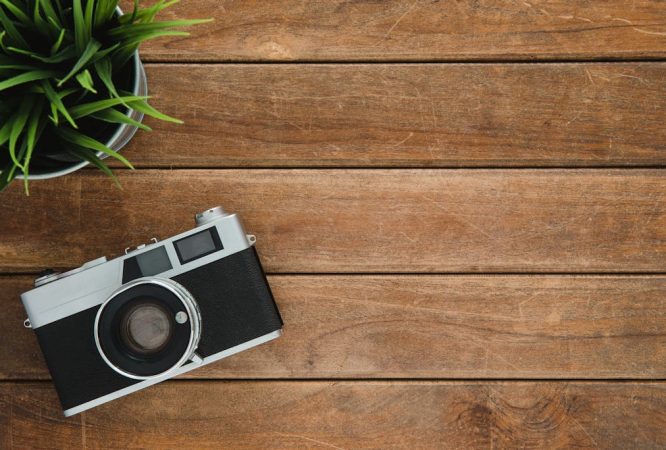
406 115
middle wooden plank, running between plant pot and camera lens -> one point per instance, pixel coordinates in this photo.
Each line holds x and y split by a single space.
357 220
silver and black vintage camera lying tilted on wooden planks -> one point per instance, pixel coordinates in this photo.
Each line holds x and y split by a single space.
110 328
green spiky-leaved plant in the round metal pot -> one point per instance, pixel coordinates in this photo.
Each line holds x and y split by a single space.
60 66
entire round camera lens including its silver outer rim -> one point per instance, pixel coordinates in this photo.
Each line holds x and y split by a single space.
148 328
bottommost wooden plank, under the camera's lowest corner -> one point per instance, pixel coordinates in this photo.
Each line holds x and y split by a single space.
345 415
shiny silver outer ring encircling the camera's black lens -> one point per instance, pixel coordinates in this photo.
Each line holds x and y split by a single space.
191 308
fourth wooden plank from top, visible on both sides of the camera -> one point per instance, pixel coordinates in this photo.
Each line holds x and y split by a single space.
429 327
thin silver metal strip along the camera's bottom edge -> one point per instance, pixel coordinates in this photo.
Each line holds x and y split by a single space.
144 384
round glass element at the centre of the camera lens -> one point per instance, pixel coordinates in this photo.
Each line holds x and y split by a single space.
146 327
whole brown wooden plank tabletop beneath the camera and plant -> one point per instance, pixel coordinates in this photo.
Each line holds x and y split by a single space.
461 207
